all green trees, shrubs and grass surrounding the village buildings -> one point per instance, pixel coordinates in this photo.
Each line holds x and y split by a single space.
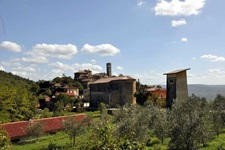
191 124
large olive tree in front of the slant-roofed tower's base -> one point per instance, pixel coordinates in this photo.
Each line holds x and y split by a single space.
187 124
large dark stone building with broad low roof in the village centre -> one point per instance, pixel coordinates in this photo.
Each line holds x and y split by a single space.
113 91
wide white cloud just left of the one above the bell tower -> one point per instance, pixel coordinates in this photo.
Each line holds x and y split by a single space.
53 50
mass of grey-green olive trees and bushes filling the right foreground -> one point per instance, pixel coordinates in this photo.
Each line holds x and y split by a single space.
191 124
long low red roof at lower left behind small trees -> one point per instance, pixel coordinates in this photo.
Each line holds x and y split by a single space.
17 129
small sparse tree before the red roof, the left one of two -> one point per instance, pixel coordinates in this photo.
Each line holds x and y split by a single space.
35 128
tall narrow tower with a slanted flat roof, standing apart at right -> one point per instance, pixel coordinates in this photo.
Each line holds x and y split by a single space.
176 86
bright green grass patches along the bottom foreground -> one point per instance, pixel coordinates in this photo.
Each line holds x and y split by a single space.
60 140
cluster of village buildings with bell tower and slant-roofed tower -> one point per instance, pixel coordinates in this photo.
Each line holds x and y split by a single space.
117 90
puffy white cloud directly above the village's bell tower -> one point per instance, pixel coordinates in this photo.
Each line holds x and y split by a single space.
102 50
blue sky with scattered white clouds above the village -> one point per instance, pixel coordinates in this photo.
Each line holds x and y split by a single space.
141 38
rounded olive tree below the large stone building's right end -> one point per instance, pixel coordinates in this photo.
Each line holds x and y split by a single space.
133 122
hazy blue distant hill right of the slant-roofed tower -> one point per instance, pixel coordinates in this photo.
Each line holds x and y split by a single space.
207 91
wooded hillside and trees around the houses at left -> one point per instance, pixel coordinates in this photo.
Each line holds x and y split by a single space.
19 97
